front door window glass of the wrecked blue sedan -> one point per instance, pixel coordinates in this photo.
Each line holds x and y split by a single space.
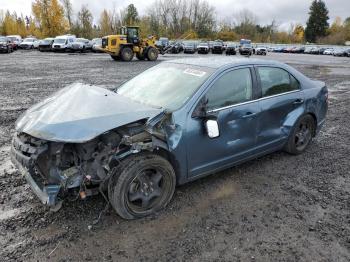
232 88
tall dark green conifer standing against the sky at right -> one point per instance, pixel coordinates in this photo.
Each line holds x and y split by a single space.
317 24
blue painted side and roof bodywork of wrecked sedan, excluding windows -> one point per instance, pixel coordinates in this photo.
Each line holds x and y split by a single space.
242 138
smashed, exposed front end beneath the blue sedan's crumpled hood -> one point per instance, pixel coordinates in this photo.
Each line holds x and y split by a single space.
57 170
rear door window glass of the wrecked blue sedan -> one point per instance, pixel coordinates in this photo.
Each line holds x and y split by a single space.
276 81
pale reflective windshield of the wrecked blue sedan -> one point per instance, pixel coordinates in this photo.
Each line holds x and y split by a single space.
167 85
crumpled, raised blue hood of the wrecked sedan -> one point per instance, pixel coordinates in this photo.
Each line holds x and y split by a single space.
79 113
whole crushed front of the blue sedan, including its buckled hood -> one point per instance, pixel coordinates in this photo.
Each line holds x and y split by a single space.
67 145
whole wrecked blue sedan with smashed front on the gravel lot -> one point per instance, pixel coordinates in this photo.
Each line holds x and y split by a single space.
176 122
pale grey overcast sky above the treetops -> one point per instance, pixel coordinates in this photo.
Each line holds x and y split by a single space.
283 11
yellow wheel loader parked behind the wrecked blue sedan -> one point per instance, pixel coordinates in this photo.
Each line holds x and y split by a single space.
128 43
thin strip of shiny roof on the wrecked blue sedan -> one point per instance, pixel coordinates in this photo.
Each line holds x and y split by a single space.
223 61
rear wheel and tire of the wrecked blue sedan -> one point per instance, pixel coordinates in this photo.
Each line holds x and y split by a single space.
301 135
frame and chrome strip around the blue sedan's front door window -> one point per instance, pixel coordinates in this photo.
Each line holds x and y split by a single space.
253 81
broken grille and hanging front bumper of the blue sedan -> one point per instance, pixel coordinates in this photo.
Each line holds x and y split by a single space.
23 157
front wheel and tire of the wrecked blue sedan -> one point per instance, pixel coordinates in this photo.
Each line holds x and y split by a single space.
141 185
